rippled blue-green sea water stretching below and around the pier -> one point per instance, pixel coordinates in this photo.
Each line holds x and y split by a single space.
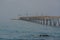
23 30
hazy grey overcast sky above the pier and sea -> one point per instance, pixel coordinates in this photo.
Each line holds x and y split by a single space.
13 8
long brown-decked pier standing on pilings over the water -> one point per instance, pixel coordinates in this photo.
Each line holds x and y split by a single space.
44 20
